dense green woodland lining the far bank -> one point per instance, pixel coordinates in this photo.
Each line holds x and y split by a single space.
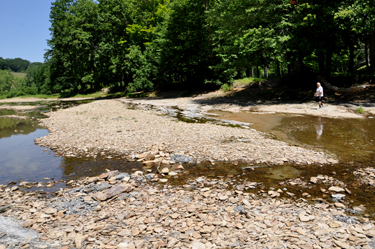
133 45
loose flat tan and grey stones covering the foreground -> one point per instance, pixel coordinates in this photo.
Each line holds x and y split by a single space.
118 210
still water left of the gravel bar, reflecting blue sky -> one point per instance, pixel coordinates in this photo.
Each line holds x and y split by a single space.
22 160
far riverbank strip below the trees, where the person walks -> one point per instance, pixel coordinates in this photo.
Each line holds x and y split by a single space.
229 101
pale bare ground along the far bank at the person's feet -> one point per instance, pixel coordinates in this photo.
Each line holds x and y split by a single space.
217 100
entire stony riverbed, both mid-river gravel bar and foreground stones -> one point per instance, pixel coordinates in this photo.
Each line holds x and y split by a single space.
144 209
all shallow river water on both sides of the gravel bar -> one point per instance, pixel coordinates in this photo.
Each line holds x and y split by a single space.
350 140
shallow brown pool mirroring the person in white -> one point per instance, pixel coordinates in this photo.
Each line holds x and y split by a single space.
349 139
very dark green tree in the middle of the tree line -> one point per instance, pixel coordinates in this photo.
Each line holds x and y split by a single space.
185 46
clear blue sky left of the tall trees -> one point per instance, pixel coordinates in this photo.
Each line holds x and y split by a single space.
24 29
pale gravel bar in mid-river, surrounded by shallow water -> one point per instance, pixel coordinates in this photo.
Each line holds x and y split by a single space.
112 126
